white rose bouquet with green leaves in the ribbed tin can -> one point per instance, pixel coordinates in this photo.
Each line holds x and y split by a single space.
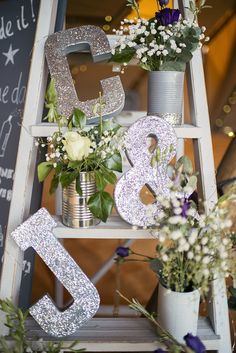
77 148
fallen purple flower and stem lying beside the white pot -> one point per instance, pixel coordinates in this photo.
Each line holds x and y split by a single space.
193 343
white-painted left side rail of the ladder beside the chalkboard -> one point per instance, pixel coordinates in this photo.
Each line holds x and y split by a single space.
26 160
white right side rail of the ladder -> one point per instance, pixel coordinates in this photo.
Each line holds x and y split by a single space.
218 307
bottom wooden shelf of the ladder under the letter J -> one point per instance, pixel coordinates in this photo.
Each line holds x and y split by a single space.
121 335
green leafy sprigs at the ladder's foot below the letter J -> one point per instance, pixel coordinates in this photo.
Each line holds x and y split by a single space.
16 322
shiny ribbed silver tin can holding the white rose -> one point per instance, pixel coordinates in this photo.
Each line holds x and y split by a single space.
75 213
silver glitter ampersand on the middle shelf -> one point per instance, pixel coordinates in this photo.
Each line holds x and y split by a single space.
127 191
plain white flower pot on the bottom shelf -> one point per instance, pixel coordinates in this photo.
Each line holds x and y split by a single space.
178 312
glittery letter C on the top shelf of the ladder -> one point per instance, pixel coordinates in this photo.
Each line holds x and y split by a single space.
57 46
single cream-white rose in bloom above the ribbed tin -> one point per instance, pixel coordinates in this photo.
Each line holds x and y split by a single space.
76 146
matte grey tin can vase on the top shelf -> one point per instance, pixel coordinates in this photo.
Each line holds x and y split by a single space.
165 95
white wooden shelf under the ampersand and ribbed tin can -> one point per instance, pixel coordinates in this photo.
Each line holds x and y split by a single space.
114 228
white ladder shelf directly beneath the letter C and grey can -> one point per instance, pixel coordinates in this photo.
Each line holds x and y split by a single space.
183 131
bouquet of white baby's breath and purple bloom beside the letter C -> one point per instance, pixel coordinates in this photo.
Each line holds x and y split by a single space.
163 43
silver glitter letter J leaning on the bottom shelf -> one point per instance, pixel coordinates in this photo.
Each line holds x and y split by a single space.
37 232
